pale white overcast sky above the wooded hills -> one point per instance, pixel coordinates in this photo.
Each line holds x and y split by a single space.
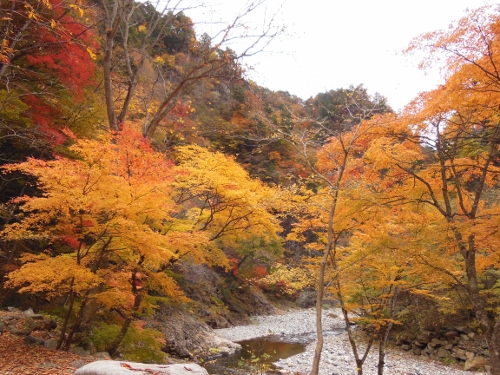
331 44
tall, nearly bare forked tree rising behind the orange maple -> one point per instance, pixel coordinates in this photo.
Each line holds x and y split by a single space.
161 36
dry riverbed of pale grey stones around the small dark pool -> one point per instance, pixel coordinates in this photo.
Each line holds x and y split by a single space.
337 358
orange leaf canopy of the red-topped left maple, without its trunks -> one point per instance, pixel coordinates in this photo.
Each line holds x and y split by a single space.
111 202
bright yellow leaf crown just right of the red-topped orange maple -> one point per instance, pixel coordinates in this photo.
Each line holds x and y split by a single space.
221 198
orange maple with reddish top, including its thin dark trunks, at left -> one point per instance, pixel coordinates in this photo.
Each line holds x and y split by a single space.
106 219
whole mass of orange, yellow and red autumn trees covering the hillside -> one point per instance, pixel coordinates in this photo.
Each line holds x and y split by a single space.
102 204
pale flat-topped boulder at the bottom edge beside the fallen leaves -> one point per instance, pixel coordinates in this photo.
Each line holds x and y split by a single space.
132 368
